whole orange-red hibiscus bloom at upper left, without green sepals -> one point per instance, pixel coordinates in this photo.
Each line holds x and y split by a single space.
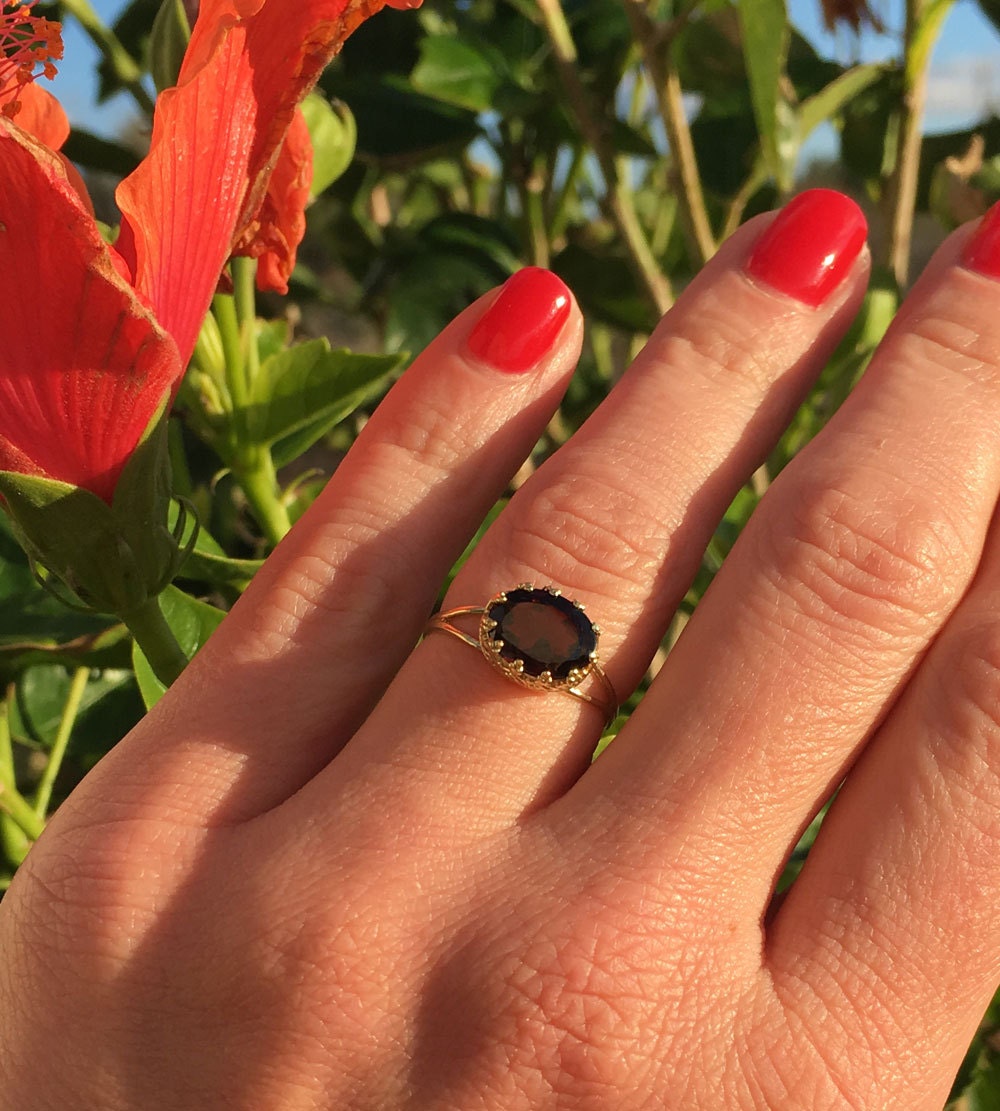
99 336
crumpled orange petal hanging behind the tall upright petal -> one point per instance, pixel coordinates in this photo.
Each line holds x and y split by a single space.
275 234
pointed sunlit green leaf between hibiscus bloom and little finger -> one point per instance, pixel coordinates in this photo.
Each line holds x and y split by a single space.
303 392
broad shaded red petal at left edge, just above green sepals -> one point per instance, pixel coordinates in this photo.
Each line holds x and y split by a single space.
84 366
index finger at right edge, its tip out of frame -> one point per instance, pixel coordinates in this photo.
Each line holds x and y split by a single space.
894 920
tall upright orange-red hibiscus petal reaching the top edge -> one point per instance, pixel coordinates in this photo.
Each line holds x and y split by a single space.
215 142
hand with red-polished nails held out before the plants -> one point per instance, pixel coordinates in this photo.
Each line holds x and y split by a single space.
336 872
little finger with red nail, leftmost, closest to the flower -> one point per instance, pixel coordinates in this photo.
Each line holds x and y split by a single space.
311 647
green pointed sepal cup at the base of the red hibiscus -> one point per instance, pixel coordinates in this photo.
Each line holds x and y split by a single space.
113 558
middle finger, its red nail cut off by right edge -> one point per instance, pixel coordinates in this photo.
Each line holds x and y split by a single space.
853 563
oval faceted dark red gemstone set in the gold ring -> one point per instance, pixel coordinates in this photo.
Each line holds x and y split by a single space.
545 632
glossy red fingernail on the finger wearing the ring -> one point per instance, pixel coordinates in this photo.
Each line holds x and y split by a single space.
812 247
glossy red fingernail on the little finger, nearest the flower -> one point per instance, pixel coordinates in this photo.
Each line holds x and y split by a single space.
523 324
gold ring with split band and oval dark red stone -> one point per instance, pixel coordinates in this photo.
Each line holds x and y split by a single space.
539 639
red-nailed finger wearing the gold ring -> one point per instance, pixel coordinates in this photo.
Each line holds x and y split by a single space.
619 516
